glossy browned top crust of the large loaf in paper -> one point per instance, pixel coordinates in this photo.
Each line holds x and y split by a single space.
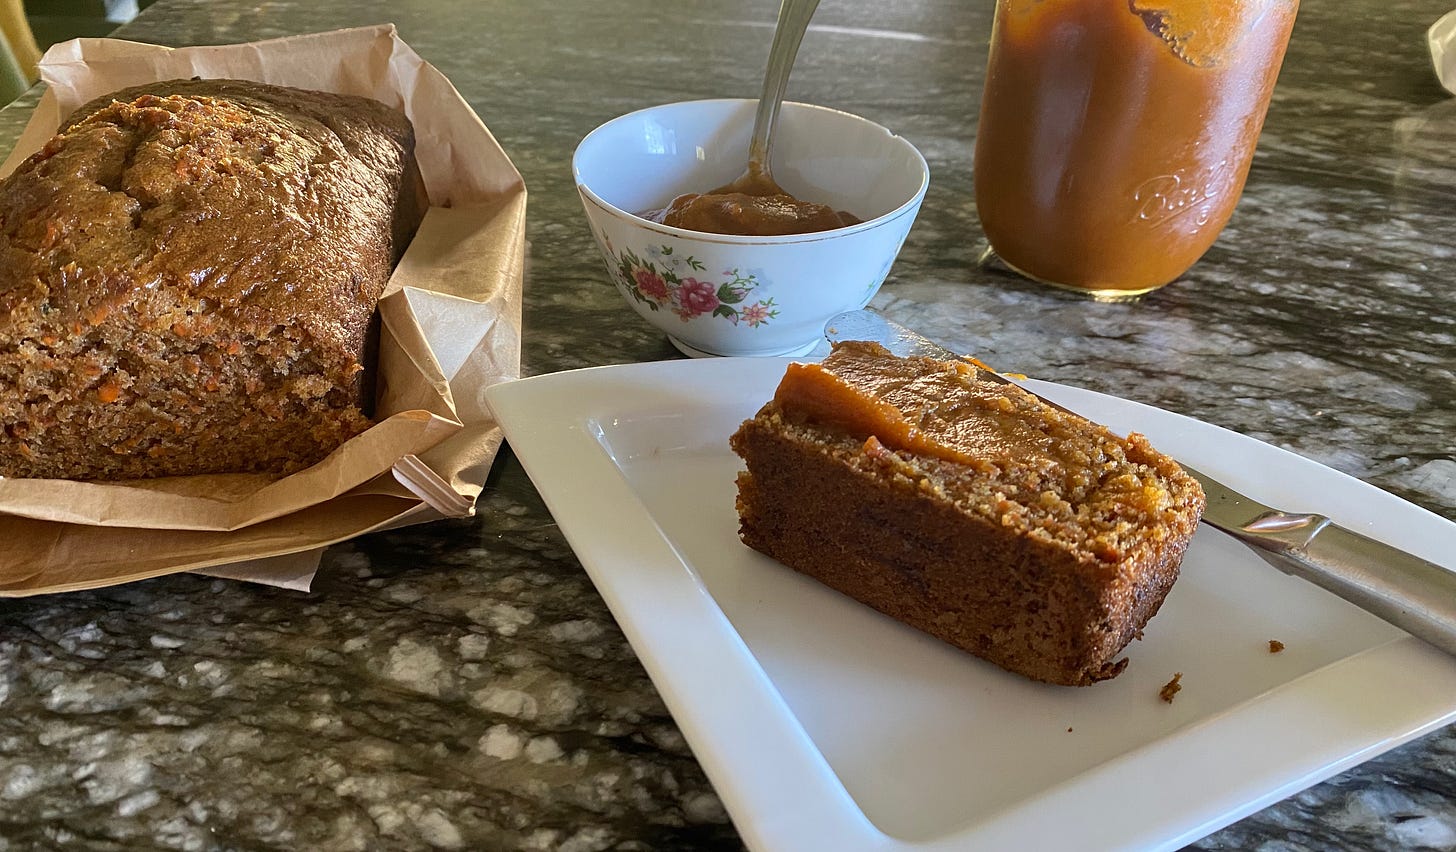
196 203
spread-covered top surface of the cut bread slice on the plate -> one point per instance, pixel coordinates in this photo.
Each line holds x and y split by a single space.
1000 452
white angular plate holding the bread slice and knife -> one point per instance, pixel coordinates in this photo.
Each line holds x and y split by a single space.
828 726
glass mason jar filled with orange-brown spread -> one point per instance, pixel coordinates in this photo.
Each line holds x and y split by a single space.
1116 135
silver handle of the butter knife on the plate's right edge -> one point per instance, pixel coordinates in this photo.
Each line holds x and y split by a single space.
1406 591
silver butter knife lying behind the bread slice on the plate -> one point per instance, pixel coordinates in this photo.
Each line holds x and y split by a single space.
1400 588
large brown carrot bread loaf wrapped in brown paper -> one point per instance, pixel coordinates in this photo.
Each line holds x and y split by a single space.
189 280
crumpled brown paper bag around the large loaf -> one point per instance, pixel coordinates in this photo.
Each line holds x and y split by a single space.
451 330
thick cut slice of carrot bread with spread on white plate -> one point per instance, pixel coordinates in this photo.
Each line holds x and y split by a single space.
968 509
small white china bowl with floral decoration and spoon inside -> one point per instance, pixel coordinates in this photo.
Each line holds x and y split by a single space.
721 295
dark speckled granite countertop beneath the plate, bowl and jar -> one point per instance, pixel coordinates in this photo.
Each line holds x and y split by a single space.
462 685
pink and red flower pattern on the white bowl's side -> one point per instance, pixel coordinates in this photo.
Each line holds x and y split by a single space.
662 285
